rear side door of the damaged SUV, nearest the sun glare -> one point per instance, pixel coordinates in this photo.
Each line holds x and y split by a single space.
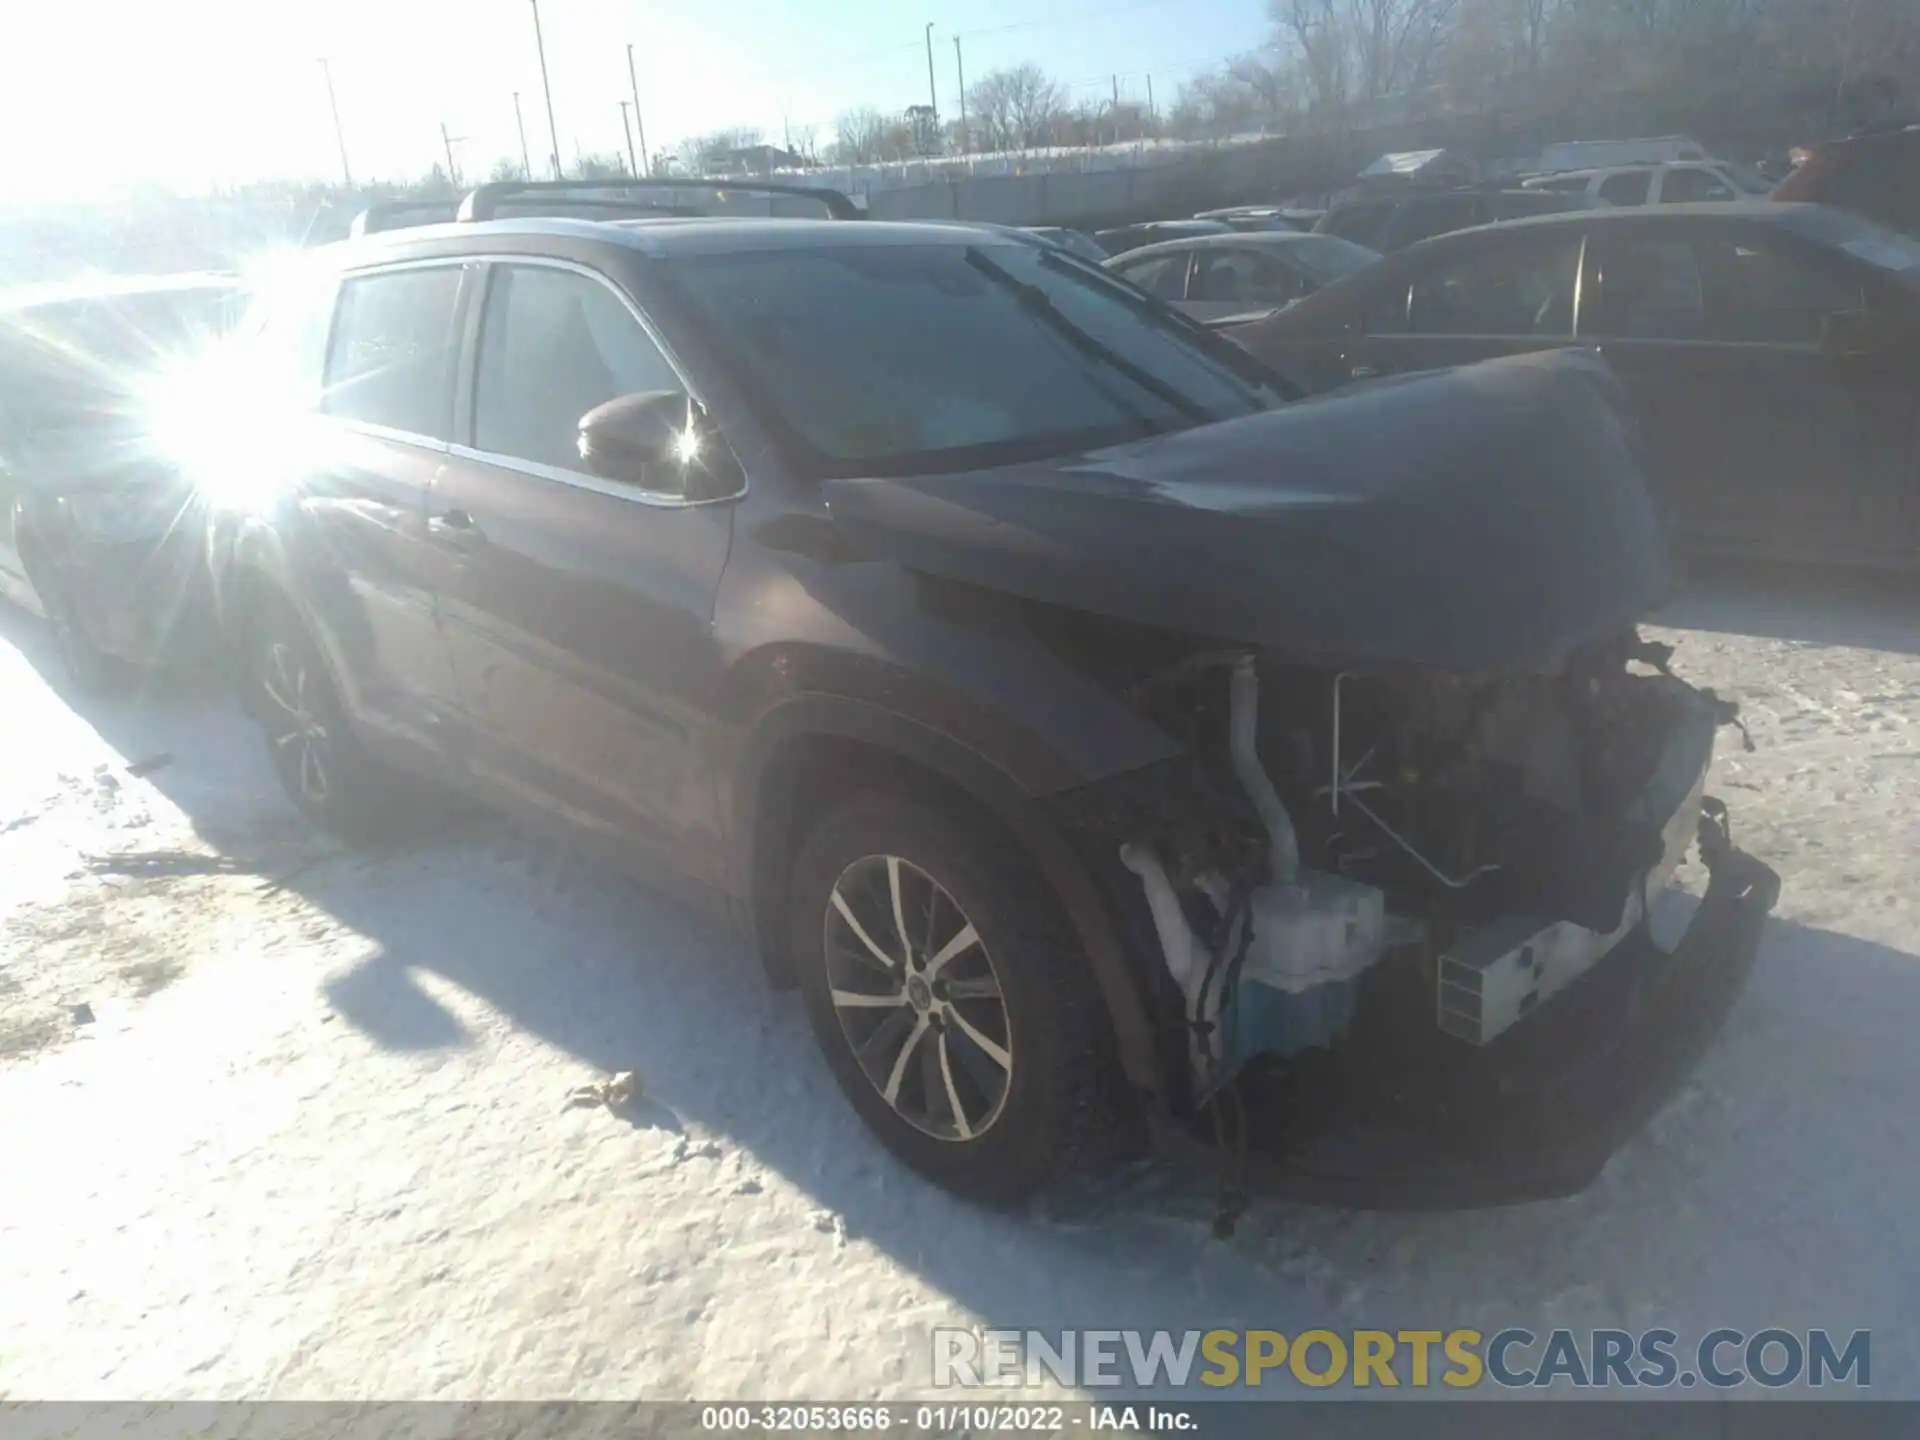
362 556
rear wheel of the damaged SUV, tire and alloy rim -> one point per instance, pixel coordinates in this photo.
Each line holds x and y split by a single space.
322 763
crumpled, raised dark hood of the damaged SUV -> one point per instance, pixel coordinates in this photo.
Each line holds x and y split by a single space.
1483 519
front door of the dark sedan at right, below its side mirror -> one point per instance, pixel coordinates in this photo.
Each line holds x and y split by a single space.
1760 443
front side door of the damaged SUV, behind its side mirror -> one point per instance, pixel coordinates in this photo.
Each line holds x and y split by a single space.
579 610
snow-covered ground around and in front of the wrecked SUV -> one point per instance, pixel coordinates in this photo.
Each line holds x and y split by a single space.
281 1122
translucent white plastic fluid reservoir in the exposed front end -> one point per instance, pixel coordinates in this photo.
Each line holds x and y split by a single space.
1301 978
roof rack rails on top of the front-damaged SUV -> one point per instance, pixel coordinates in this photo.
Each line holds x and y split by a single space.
608 199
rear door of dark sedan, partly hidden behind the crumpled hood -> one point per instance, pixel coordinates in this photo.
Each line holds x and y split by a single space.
1502 295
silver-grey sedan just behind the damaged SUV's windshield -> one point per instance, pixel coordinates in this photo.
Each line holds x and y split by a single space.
1218 276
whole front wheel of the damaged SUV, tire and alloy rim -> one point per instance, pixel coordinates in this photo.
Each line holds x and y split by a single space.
949 999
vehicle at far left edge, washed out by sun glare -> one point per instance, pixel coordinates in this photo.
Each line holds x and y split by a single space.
95 521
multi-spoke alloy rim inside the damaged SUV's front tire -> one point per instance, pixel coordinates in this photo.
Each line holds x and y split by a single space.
919 999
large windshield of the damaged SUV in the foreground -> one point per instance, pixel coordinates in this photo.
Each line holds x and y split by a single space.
890 360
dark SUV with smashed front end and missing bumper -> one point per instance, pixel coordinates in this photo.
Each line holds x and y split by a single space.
1107 746
